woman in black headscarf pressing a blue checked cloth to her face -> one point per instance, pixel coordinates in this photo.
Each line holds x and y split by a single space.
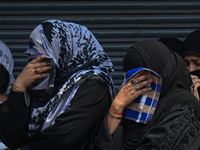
175 123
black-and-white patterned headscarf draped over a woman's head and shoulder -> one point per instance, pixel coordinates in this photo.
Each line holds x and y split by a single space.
71 46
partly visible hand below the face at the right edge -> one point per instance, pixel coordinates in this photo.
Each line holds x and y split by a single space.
196 84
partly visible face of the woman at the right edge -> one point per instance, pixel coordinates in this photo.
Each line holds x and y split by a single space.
192 62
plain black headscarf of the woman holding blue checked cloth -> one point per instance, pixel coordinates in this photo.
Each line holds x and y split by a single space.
176 79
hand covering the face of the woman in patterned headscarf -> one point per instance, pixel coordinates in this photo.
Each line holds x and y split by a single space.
29 74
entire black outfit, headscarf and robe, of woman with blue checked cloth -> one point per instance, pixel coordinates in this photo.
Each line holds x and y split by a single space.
175 101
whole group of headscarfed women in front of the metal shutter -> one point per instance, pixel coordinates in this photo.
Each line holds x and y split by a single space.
65 98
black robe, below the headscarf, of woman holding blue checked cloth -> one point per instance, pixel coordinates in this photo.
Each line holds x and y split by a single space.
178 129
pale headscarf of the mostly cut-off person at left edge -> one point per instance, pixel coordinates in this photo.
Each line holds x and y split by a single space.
7 60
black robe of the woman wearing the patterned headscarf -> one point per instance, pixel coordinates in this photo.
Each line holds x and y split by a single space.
72 130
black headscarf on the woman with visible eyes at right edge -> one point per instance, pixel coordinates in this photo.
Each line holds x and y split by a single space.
191 45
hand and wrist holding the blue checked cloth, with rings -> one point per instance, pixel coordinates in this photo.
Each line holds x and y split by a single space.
127 94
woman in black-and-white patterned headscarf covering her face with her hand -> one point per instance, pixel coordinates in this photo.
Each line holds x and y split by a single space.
69 85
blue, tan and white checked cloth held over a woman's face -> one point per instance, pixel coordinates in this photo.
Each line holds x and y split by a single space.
142 109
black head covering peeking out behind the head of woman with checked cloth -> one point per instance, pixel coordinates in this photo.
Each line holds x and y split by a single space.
172 43
